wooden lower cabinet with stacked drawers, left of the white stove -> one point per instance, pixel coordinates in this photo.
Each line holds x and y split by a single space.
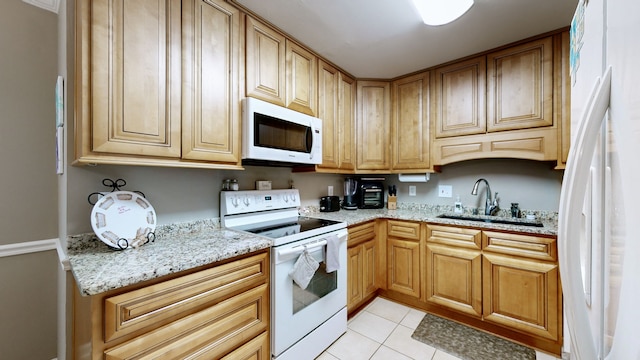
217 312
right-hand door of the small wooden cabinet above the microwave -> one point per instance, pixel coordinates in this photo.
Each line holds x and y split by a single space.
301 79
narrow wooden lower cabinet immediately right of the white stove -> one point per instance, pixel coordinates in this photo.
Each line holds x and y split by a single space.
362 268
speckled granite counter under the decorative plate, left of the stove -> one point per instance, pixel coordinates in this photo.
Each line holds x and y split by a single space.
178 247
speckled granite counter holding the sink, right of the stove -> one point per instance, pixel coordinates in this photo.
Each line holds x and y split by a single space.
430 213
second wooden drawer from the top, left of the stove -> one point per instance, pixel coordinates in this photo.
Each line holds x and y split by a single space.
207 334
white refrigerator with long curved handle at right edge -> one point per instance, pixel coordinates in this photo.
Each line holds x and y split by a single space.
599 221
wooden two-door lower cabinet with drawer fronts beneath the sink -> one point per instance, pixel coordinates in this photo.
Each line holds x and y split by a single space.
502 282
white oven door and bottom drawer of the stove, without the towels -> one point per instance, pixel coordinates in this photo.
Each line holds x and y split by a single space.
297 312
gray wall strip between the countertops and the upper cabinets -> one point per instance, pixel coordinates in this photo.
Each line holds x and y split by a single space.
188 194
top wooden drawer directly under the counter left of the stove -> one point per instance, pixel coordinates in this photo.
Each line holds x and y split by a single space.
156 305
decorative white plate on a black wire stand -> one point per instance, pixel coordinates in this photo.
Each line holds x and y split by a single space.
123 215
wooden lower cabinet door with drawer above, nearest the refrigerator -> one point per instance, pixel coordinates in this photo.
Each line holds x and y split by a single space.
521 284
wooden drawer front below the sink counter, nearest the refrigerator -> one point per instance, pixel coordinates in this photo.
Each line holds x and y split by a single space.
529 246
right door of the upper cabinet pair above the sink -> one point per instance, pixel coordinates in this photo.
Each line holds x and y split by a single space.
520 86
